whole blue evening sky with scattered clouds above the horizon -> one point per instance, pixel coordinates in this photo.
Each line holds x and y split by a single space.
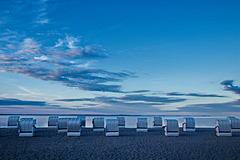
120 57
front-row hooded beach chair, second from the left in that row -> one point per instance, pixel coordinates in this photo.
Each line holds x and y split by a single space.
74 127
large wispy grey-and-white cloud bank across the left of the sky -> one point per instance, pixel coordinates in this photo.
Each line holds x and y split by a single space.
68 66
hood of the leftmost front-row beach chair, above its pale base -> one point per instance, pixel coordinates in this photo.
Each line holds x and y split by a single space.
27 124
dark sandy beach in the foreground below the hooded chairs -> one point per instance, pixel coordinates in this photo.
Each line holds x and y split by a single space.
48 144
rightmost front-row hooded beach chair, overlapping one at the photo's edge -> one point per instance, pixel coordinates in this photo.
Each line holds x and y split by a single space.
223 128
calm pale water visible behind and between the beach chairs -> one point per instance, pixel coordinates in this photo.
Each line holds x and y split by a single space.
130 121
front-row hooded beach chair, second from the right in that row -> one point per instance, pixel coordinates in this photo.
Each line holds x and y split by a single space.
171 127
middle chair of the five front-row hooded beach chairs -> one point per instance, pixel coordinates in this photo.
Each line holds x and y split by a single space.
112 128
